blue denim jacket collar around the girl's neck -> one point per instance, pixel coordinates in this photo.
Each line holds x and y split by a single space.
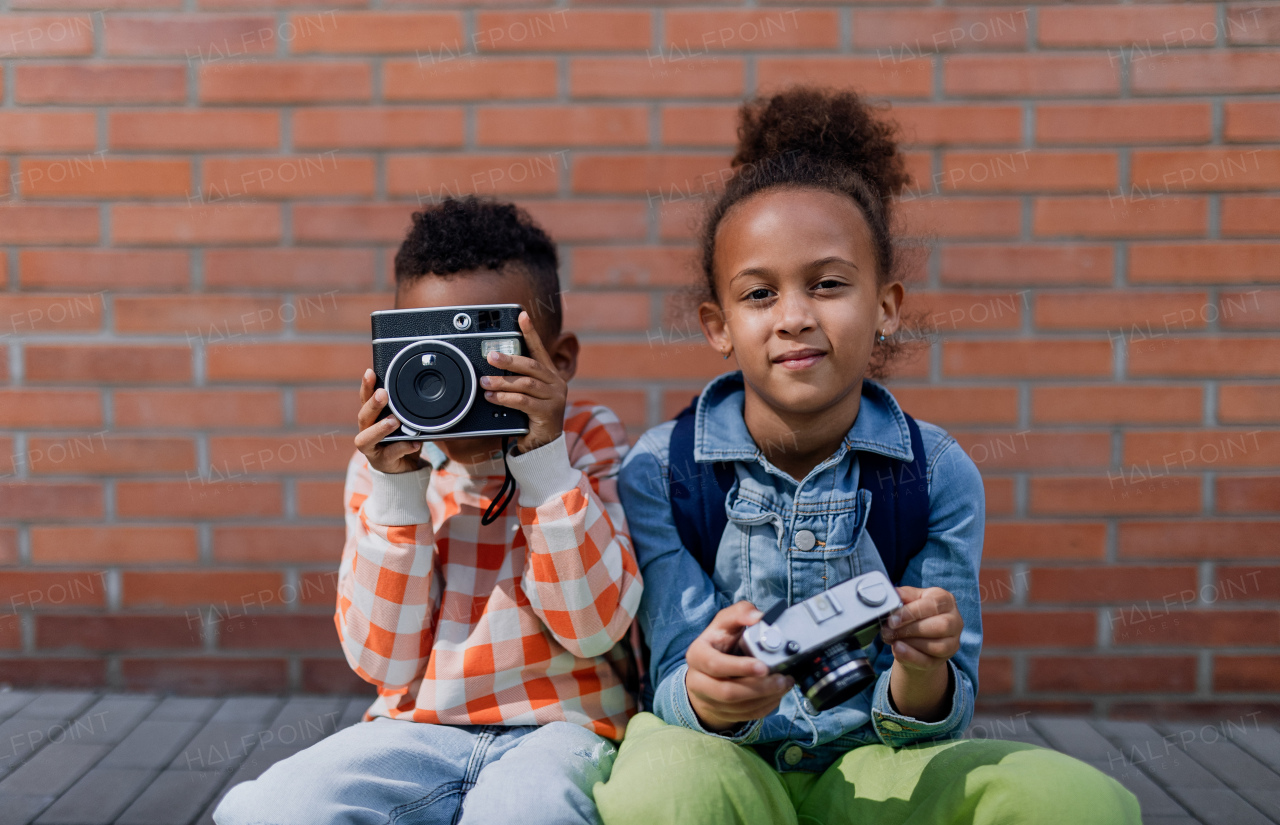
721 434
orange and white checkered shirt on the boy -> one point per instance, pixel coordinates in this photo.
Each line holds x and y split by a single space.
511 624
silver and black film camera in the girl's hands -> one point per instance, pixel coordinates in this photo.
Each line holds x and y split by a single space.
820 641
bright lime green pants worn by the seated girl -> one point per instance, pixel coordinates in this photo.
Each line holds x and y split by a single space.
668 774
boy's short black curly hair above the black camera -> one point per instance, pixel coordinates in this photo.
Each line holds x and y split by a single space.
473 233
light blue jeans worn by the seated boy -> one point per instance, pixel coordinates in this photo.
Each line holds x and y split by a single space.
391 772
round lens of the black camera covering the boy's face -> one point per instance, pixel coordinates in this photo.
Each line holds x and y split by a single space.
431 386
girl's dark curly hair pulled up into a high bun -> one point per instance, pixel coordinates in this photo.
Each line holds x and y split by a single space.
824 139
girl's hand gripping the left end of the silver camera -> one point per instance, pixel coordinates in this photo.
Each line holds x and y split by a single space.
728 689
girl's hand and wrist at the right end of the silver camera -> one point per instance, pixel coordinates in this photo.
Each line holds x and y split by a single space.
925 634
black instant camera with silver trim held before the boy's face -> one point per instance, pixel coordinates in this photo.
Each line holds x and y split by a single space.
431 363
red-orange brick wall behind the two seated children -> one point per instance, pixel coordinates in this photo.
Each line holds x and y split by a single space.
202 200
